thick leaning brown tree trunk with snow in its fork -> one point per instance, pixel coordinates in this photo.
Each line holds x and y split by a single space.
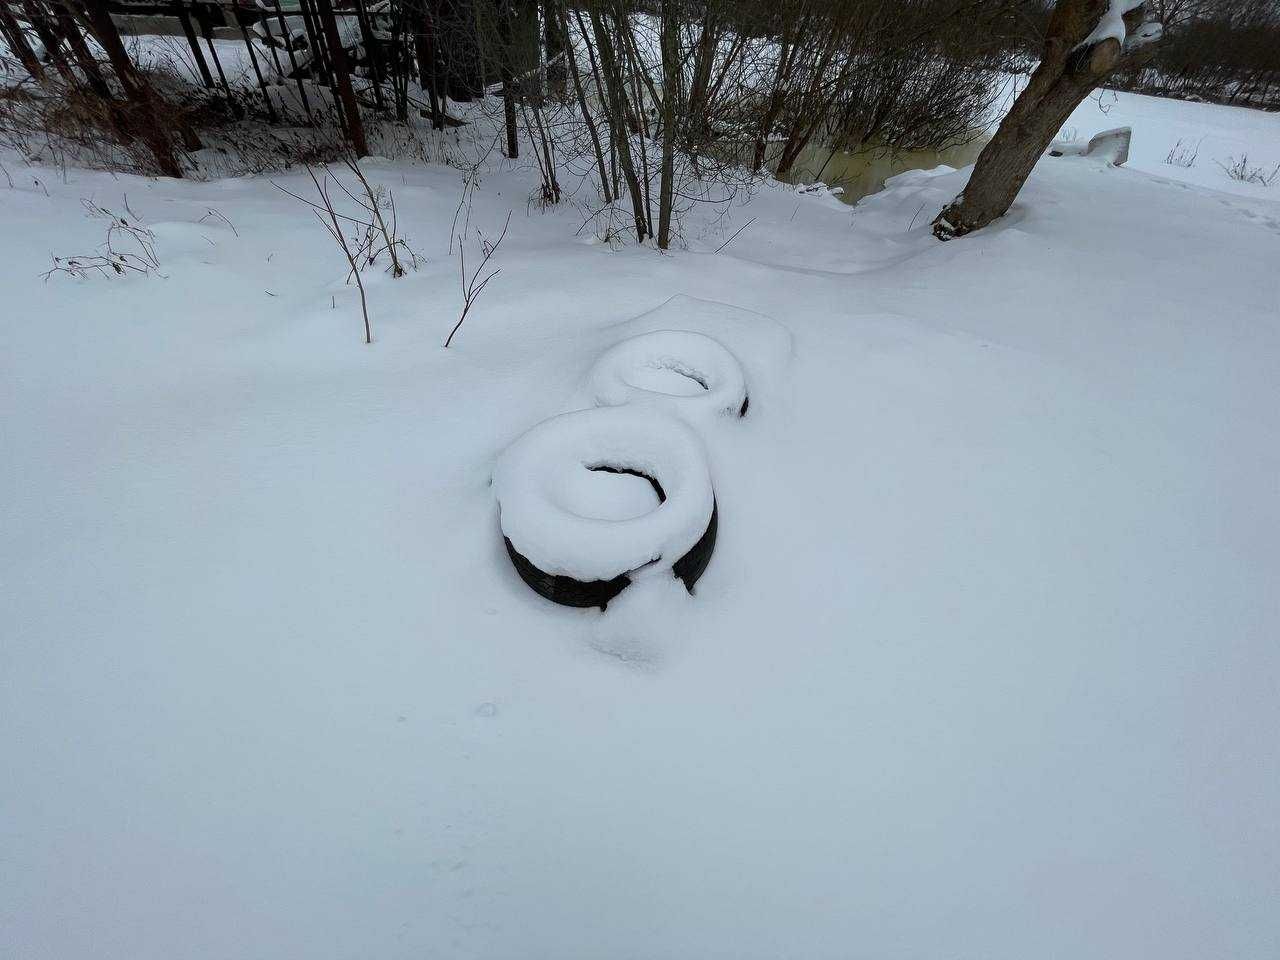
1066 76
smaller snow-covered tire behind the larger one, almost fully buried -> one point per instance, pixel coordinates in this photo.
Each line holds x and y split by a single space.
688 373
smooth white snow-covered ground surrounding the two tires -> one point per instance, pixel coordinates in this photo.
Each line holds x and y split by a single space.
985 664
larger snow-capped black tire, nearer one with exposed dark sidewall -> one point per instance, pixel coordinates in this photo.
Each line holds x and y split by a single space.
583 561
